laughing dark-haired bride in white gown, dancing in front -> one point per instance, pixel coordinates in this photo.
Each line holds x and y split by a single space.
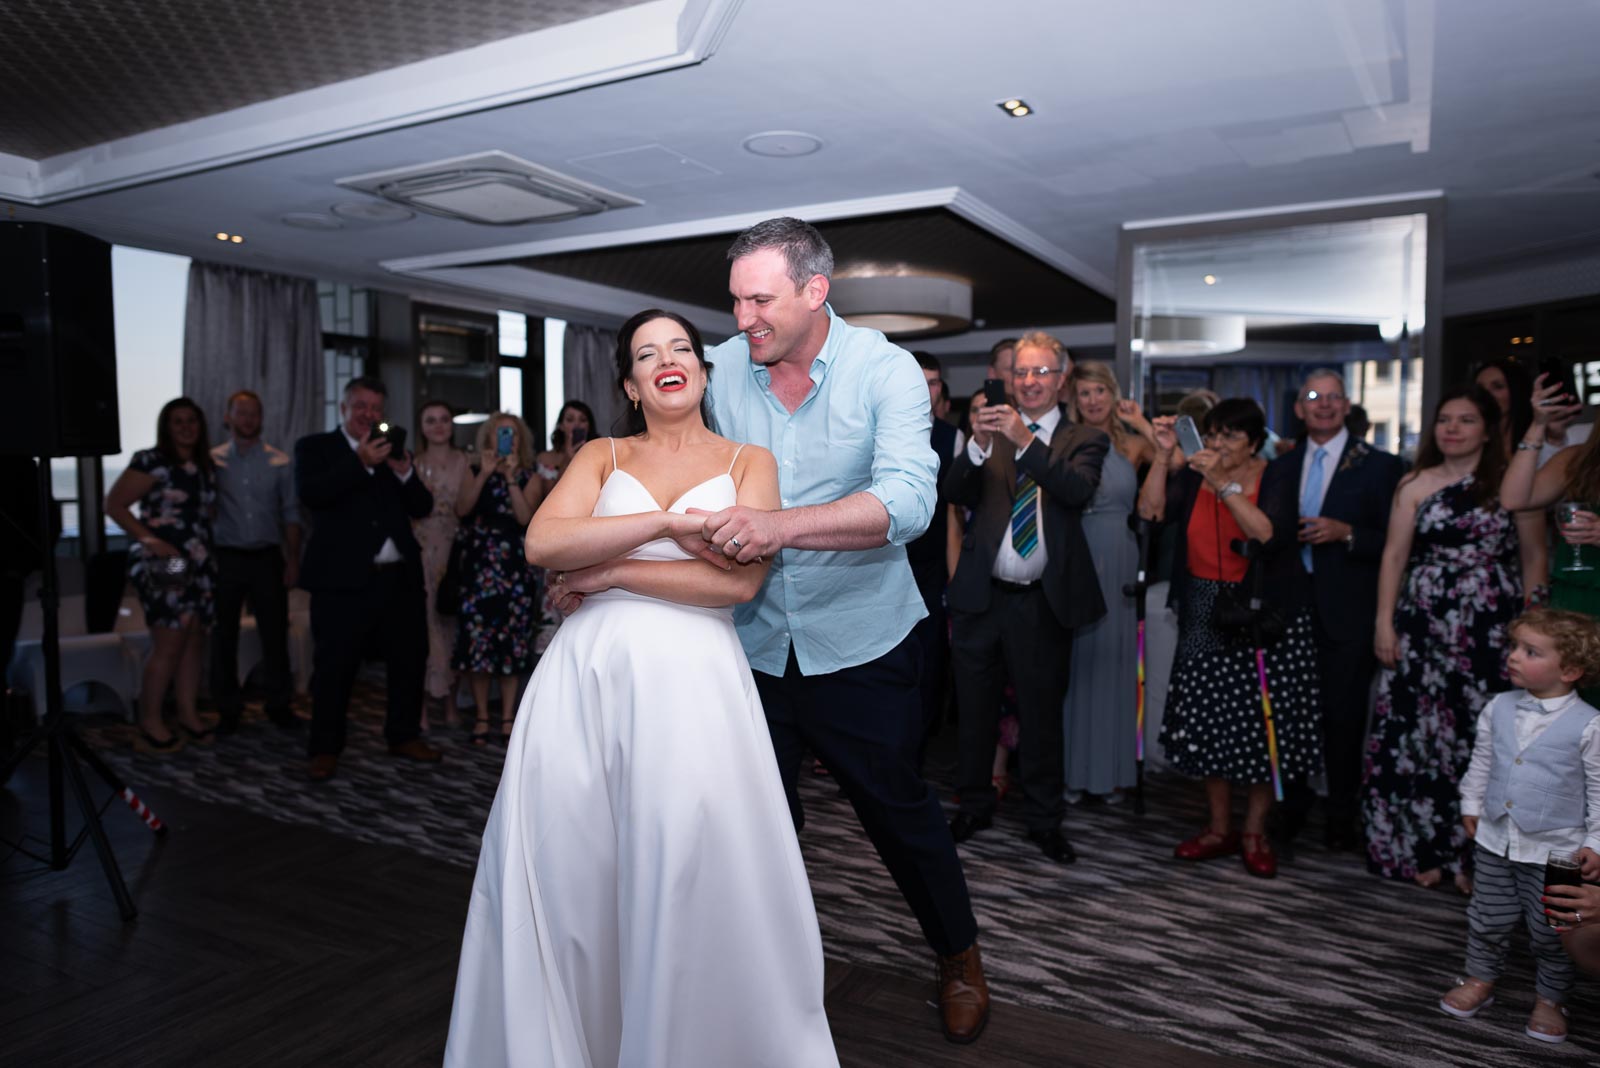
641 898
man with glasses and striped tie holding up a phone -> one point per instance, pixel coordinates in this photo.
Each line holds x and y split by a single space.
1025 581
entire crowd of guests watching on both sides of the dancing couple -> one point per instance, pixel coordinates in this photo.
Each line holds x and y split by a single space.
1303 575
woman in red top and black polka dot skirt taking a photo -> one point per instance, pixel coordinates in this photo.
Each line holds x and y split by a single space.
1222 498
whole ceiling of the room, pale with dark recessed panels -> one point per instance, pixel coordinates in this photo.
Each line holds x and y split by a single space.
230 116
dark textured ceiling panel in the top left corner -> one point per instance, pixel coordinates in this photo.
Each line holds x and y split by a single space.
81 73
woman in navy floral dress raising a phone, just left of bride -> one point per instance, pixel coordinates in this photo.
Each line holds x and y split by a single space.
497 624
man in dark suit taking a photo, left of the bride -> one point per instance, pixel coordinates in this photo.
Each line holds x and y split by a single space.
364 570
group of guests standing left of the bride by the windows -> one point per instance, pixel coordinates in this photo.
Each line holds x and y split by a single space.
414 556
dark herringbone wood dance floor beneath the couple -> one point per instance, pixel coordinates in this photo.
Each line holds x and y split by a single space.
271 944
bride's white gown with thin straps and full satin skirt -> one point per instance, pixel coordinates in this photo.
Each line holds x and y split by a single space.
641 898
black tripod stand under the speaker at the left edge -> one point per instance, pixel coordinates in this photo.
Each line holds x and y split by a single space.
66 749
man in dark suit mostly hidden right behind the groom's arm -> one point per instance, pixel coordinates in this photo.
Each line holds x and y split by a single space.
930 559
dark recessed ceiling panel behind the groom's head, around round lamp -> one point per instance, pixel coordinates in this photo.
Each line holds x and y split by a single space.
1012 290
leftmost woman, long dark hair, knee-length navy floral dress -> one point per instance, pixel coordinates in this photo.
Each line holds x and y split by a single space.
170 565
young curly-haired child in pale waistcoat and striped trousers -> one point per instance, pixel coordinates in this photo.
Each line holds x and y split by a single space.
1534 787
